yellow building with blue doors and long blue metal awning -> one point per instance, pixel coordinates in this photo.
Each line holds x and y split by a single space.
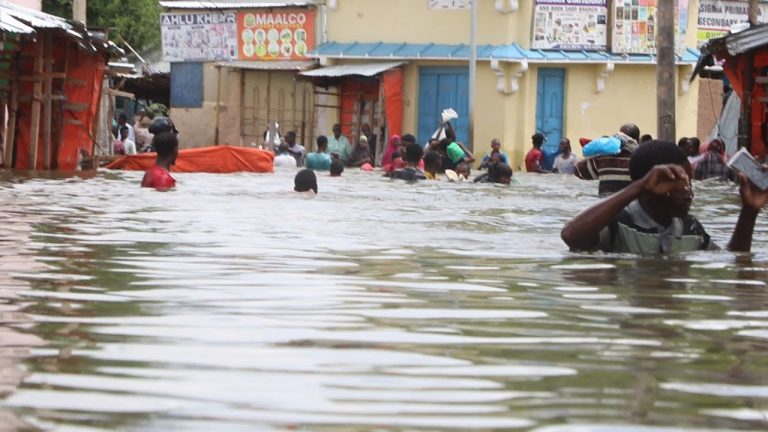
574 89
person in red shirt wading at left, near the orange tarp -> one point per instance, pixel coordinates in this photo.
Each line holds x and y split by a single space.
166 144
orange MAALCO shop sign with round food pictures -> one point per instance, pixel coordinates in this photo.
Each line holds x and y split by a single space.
286 34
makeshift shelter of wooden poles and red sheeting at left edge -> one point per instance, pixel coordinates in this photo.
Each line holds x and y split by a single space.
51 95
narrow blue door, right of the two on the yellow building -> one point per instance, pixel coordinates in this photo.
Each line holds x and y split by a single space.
549 111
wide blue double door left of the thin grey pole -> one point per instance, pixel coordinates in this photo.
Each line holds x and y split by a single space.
441 88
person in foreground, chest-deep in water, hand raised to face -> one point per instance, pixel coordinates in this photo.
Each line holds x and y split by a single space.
650 216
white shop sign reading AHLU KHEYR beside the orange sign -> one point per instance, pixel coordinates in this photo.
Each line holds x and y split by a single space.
203 36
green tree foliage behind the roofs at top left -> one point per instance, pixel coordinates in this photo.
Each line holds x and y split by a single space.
137 21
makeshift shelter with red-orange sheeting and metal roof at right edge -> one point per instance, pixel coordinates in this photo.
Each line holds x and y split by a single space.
745 64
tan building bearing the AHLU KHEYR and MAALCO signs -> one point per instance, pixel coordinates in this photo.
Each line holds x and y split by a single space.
227 82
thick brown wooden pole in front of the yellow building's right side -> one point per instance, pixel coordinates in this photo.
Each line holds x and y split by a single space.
665 70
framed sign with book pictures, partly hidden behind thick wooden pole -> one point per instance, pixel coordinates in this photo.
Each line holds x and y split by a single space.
634 26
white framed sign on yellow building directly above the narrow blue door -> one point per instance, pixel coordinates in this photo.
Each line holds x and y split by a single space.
570 25
